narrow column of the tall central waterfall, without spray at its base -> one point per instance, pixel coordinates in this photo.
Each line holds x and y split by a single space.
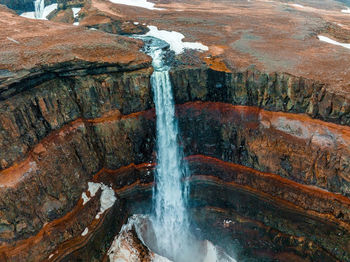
170 194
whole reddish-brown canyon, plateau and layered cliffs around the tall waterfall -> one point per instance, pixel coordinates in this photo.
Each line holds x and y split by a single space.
263 116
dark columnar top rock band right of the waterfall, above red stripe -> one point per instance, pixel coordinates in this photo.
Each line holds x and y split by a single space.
274 92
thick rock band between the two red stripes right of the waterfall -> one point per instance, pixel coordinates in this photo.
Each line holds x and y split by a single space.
294 146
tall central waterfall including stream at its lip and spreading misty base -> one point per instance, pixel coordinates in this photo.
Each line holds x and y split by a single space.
170 220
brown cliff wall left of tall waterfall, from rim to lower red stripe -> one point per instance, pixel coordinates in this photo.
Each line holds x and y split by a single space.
54 170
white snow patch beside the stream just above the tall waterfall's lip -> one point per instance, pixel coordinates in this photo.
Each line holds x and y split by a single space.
174 39
